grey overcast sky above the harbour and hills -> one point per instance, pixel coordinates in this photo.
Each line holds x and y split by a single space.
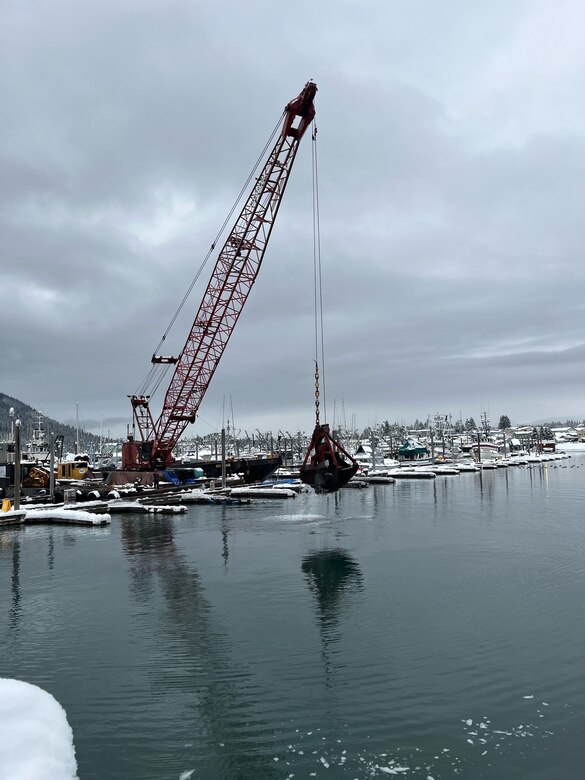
451 152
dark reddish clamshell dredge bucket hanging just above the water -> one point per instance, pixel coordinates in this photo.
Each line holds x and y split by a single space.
327 466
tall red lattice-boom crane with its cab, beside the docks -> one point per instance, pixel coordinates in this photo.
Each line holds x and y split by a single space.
232 278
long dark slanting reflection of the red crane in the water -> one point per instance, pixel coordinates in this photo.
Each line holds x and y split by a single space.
207 680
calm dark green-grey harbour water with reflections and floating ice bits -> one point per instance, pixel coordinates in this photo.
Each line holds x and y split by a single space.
421 629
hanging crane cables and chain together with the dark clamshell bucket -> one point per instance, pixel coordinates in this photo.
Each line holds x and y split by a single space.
327 465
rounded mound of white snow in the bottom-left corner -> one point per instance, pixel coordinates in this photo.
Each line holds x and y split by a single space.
37 741
